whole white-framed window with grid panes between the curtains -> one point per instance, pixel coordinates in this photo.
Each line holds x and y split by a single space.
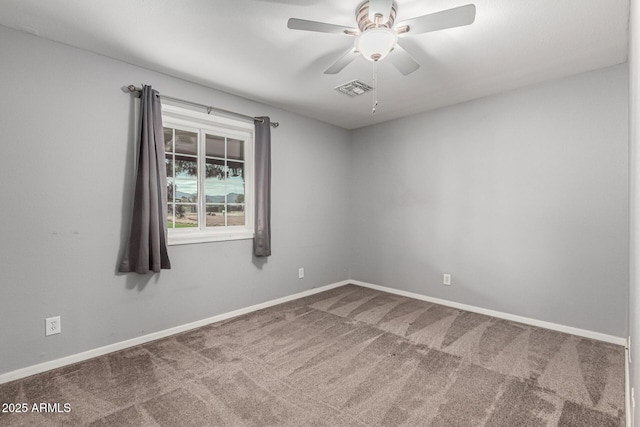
209 164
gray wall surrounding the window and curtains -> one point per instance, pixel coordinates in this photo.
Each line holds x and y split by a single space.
65 173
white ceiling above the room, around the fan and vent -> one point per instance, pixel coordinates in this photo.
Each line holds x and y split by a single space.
244 47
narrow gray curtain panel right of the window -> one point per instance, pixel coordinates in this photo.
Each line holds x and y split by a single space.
262 238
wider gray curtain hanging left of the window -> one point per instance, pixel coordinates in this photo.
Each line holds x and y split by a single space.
147 245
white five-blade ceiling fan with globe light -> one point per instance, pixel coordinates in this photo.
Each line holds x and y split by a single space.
376 37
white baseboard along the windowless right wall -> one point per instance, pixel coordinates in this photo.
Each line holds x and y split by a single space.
526 320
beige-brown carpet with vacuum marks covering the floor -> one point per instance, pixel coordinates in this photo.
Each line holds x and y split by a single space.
350 356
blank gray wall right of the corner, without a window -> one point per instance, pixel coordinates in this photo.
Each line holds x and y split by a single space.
522 197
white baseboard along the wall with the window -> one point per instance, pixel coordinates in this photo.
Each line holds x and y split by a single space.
101 351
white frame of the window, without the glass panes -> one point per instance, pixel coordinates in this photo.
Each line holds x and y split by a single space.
177 117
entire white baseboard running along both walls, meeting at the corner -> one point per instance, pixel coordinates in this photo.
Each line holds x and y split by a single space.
101 351
